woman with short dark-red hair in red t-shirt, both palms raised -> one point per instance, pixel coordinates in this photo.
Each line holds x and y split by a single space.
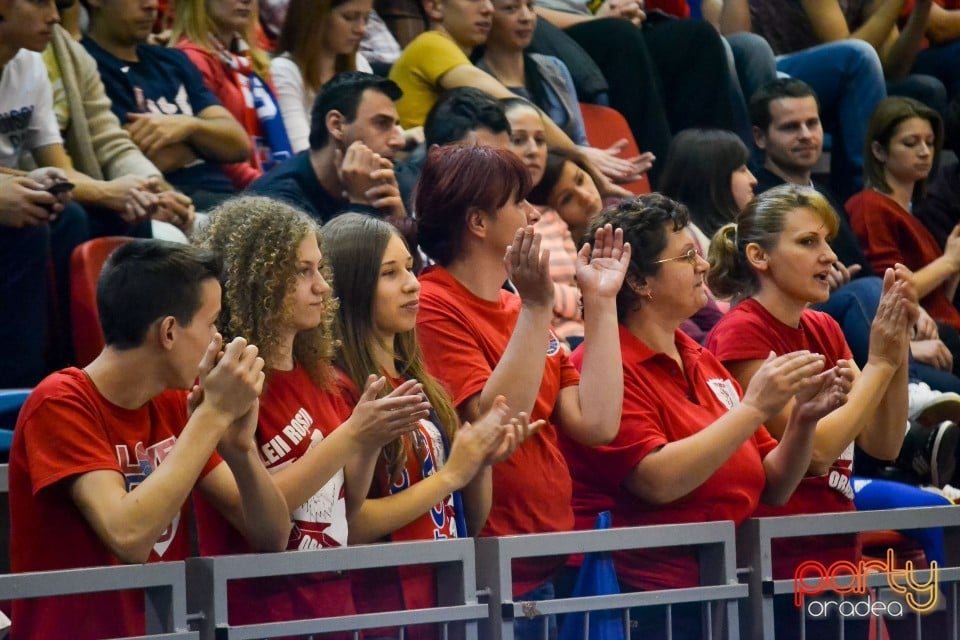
482 341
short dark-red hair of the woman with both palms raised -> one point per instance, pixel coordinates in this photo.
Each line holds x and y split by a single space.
456 179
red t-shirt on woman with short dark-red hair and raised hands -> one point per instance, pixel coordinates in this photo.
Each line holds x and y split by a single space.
463 338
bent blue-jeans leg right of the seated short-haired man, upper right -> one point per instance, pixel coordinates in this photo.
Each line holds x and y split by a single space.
848 79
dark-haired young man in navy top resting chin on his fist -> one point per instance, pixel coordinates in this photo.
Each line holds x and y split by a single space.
354 134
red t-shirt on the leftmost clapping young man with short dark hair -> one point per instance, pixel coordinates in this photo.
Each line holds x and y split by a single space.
65 429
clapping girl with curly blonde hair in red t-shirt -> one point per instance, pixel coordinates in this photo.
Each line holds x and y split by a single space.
277 291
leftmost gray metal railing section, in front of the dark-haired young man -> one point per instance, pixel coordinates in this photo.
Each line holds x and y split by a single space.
163 584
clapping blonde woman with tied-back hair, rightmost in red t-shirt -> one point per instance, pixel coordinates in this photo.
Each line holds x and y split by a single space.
773 263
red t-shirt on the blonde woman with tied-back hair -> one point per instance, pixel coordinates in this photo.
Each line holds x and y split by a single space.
750 332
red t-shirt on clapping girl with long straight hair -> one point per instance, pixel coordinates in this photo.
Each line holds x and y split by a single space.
410 587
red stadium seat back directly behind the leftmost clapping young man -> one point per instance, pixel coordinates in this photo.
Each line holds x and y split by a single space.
85 265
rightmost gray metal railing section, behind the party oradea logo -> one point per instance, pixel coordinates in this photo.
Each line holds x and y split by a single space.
754 541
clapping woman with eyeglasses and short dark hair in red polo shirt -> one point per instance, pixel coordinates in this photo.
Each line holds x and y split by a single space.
691 447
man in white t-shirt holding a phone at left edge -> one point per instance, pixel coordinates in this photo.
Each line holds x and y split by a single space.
27 207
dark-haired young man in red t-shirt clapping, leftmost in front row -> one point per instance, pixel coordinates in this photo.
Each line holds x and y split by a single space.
104 459
